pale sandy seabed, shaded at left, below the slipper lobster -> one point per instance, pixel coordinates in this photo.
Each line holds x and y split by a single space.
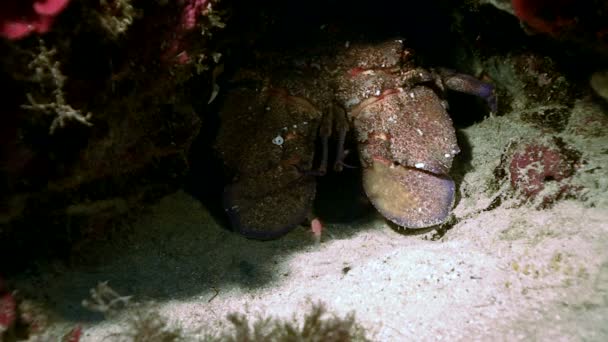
510 272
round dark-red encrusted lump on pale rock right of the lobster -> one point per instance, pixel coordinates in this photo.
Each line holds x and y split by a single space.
533 164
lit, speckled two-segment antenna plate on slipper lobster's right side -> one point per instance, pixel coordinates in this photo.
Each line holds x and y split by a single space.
407 144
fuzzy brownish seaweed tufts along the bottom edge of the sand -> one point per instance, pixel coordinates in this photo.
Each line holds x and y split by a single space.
144 323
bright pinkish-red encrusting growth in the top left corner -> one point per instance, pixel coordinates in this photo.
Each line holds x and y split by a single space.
19 18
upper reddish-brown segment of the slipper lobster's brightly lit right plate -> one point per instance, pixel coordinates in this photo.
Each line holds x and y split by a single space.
418 130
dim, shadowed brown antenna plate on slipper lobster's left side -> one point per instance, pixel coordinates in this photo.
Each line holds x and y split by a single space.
267 139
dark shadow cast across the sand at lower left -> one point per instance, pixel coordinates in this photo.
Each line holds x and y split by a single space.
175 251
